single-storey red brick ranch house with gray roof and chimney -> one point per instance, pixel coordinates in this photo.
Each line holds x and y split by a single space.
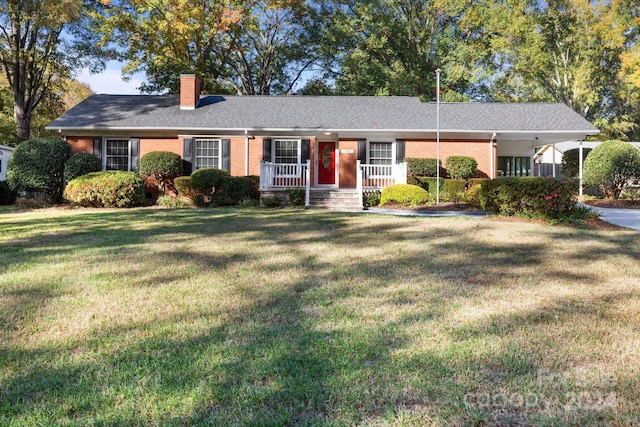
334 146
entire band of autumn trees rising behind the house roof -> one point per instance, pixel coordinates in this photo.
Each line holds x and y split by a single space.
584 53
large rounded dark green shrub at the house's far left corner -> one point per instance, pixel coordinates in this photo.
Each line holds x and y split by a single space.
37 165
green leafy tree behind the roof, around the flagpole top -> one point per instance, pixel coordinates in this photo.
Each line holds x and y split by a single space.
393 47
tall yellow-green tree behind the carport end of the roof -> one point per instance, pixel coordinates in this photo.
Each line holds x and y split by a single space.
569 51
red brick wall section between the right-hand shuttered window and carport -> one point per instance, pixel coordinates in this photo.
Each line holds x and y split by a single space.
478 149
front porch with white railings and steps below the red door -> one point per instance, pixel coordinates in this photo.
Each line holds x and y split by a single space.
276 178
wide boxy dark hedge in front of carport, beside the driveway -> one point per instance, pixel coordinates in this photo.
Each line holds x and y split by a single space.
534 196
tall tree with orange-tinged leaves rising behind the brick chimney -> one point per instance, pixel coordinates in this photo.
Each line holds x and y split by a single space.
233 45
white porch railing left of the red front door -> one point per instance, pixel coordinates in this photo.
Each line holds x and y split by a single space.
286 175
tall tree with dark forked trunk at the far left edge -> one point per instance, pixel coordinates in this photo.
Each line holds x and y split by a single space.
42 41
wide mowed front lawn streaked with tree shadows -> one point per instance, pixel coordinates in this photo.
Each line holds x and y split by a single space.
296 317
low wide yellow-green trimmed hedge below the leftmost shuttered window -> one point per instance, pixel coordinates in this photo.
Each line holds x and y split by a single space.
109 189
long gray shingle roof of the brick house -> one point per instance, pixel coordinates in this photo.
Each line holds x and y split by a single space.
314 113
